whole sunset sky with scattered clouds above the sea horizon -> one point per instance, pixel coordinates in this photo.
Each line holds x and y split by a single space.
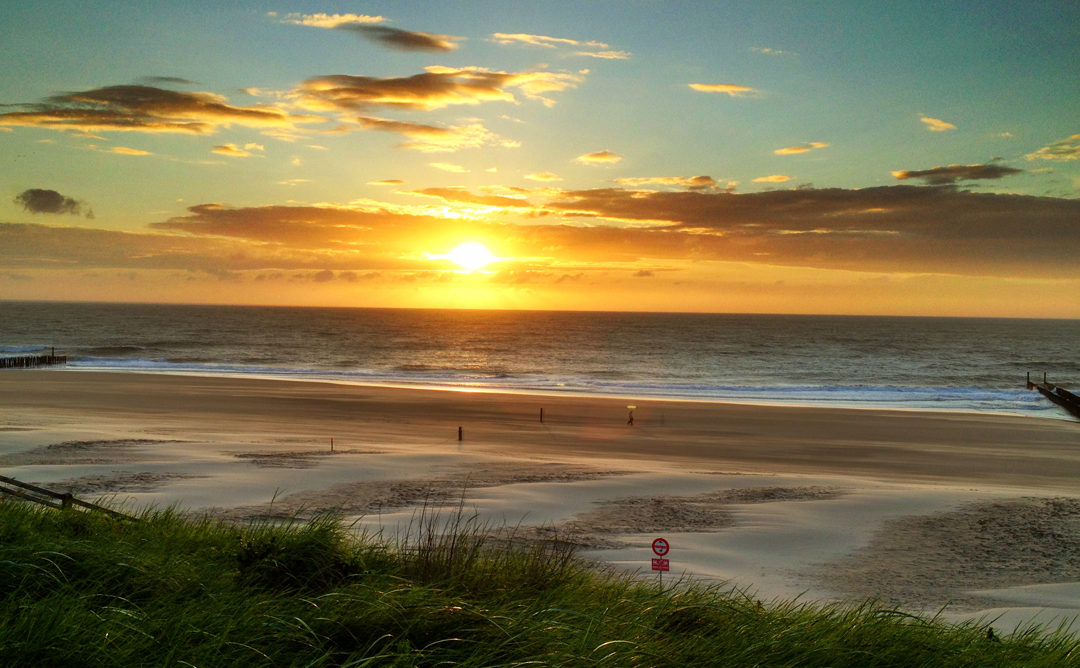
865 158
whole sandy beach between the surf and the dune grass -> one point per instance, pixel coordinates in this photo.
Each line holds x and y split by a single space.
977 512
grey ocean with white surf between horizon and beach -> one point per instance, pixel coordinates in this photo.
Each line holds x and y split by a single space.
919 363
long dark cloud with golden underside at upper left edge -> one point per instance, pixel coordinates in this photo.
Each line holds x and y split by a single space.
147 110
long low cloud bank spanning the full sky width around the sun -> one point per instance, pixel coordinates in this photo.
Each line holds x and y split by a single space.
909 229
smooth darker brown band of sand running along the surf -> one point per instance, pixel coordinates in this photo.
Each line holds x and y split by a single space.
948 448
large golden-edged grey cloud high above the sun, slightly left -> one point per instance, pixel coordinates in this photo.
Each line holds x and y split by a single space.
436 89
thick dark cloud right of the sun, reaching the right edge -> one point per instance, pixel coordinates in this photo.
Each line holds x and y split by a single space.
892 228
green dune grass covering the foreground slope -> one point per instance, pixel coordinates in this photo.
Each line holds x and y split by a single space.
84 590
